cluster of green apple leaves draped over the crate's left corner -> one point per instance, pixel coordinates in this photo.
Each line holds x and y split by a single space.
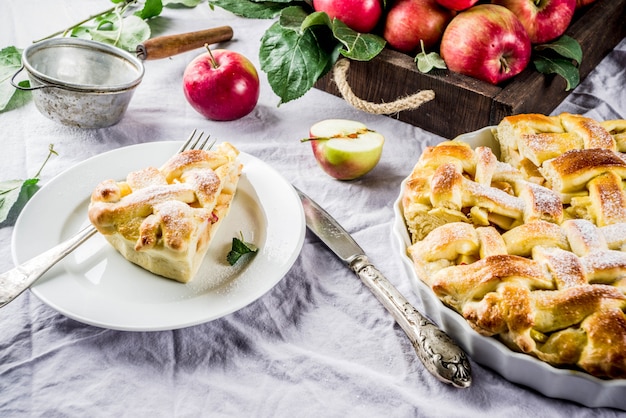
302 45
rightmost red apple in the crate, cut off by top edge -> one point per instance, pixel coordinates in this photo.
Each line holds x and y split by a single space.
544 20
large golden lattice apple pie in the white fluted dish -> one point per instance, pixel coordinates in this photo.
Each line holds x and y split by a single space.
530 249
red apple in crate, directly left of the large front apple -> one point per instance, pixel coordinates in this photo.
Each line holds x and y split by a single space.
409 21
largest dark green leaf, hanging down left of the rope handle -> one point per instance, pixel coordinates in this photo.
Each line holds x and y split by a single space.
293 61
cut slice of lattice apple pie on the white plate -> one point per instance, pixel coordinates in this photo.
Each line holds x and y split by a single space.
164 219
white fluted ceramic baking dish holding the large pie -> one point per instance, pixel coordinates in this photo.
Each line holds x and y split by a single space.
516 367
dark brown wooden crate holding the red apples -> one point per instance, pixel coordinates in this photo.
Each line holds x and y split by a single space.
463 104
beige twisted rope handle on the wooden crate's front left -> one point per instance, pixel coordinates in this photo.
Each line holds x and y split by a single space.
340 74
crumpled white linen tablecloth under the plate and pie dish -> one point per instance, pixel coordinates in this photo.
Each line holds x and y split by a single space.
318 343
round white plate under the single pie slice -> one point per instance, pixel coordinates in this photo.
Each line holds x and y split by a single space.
97 286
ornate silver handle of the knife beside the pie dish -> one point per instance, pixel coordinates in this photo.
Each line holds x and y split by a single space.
441 356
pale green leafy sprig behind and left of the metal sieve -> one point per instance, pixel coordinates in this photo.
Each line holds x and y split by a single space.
125 25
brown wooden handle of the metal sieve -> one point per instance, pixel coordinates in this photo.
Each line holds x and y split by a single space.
169 45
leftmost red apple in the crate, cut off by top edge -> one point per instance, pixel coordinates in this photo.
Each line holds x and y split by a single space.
359 15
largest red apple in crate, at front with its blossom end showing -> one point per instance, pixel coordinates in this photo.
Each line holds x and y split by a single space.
487 42
